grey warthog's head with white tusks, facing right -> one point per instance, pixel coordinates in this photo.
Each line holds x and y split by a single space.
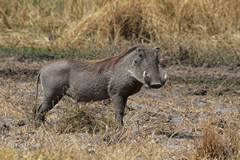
146 69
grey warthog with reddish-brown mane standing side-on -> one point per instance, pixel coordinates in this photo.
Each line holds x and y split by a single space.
116 77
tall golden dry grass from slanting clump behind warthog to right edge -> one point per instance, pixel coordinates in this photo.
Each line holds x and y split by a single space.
194 25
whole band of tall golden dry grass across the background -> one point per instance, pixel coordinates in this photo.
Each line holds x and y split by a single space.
185 28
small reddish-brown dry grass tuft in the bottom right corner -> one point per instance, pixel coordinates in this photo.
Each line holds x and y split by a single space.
213 145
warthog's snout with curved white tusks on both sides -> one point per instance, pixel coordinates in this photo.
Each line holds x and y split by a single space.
154 80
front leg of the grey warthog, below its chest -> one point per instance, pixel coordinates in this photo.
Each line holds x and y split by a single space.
119 103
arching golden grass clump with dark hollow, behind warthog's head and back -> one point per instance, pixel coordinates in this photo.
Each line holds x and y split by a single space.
114 22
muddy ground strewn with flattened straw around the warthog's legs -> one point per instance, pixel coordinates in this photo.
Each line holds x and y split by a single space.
161 124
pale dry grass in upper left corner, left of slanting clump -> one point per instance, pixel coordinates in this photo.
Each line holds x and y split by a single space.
36 23
